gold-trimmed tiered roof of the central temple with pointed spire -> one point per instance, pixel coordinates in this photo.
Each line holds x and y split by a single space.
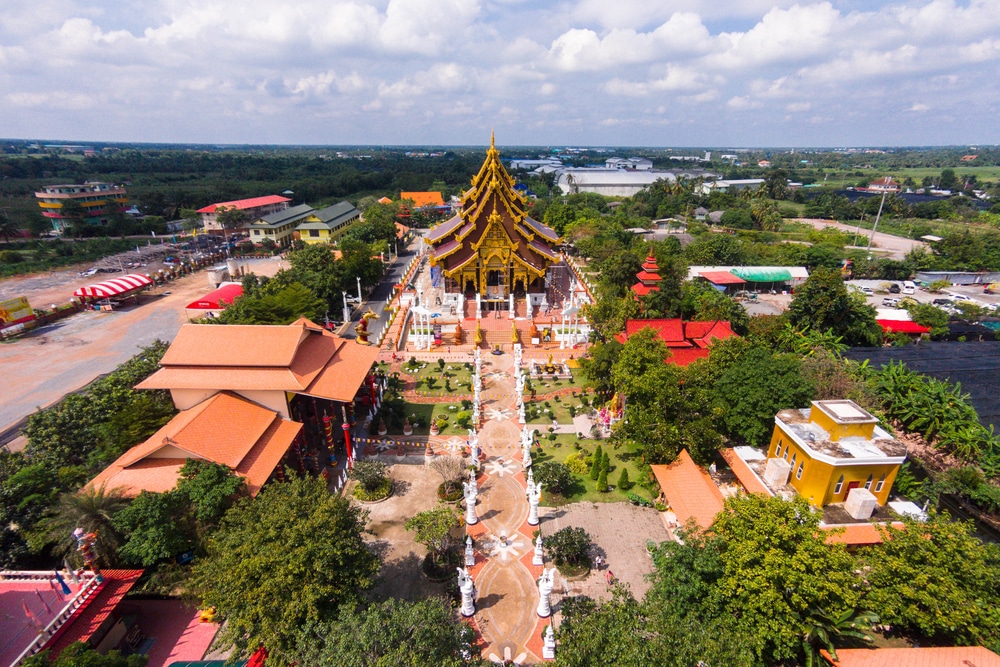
492 199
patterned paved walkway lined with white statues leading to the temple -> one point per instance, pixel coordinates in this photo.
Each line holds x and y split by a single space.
506 589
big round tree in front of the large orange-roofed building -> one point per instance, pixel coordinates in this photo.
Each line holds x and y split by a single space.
291 556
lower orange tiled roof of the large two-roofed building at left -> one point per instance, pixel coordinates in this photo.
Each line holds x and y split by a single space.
226 429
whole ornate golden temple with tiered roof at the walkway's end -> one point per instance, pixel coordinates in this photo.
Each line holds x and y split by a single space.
492 247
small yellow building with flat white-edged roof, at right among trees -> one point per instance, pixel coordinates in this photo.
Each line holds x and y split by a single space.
831 448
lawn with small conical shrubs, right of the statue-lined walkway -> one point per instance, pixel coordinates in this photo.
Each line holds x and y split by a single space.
585 488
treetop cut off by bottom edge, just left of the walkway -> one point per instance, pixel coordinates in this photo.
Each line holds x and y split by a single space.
390 634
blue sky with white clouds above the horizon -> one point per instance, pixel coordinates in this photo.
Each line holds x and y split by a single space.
724 73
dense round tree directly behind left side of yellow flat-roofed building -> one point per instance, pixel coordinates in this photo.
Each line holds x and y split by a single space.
754 388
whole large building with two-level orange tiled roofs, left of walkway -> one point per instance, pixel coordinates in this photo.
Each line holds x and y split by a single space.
270 388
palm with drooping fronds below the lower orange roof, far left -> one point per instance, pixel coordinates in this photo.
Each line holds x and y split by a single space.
92 509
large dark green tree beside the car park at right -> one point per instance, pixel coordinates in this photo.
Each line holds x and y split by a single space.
823 303
